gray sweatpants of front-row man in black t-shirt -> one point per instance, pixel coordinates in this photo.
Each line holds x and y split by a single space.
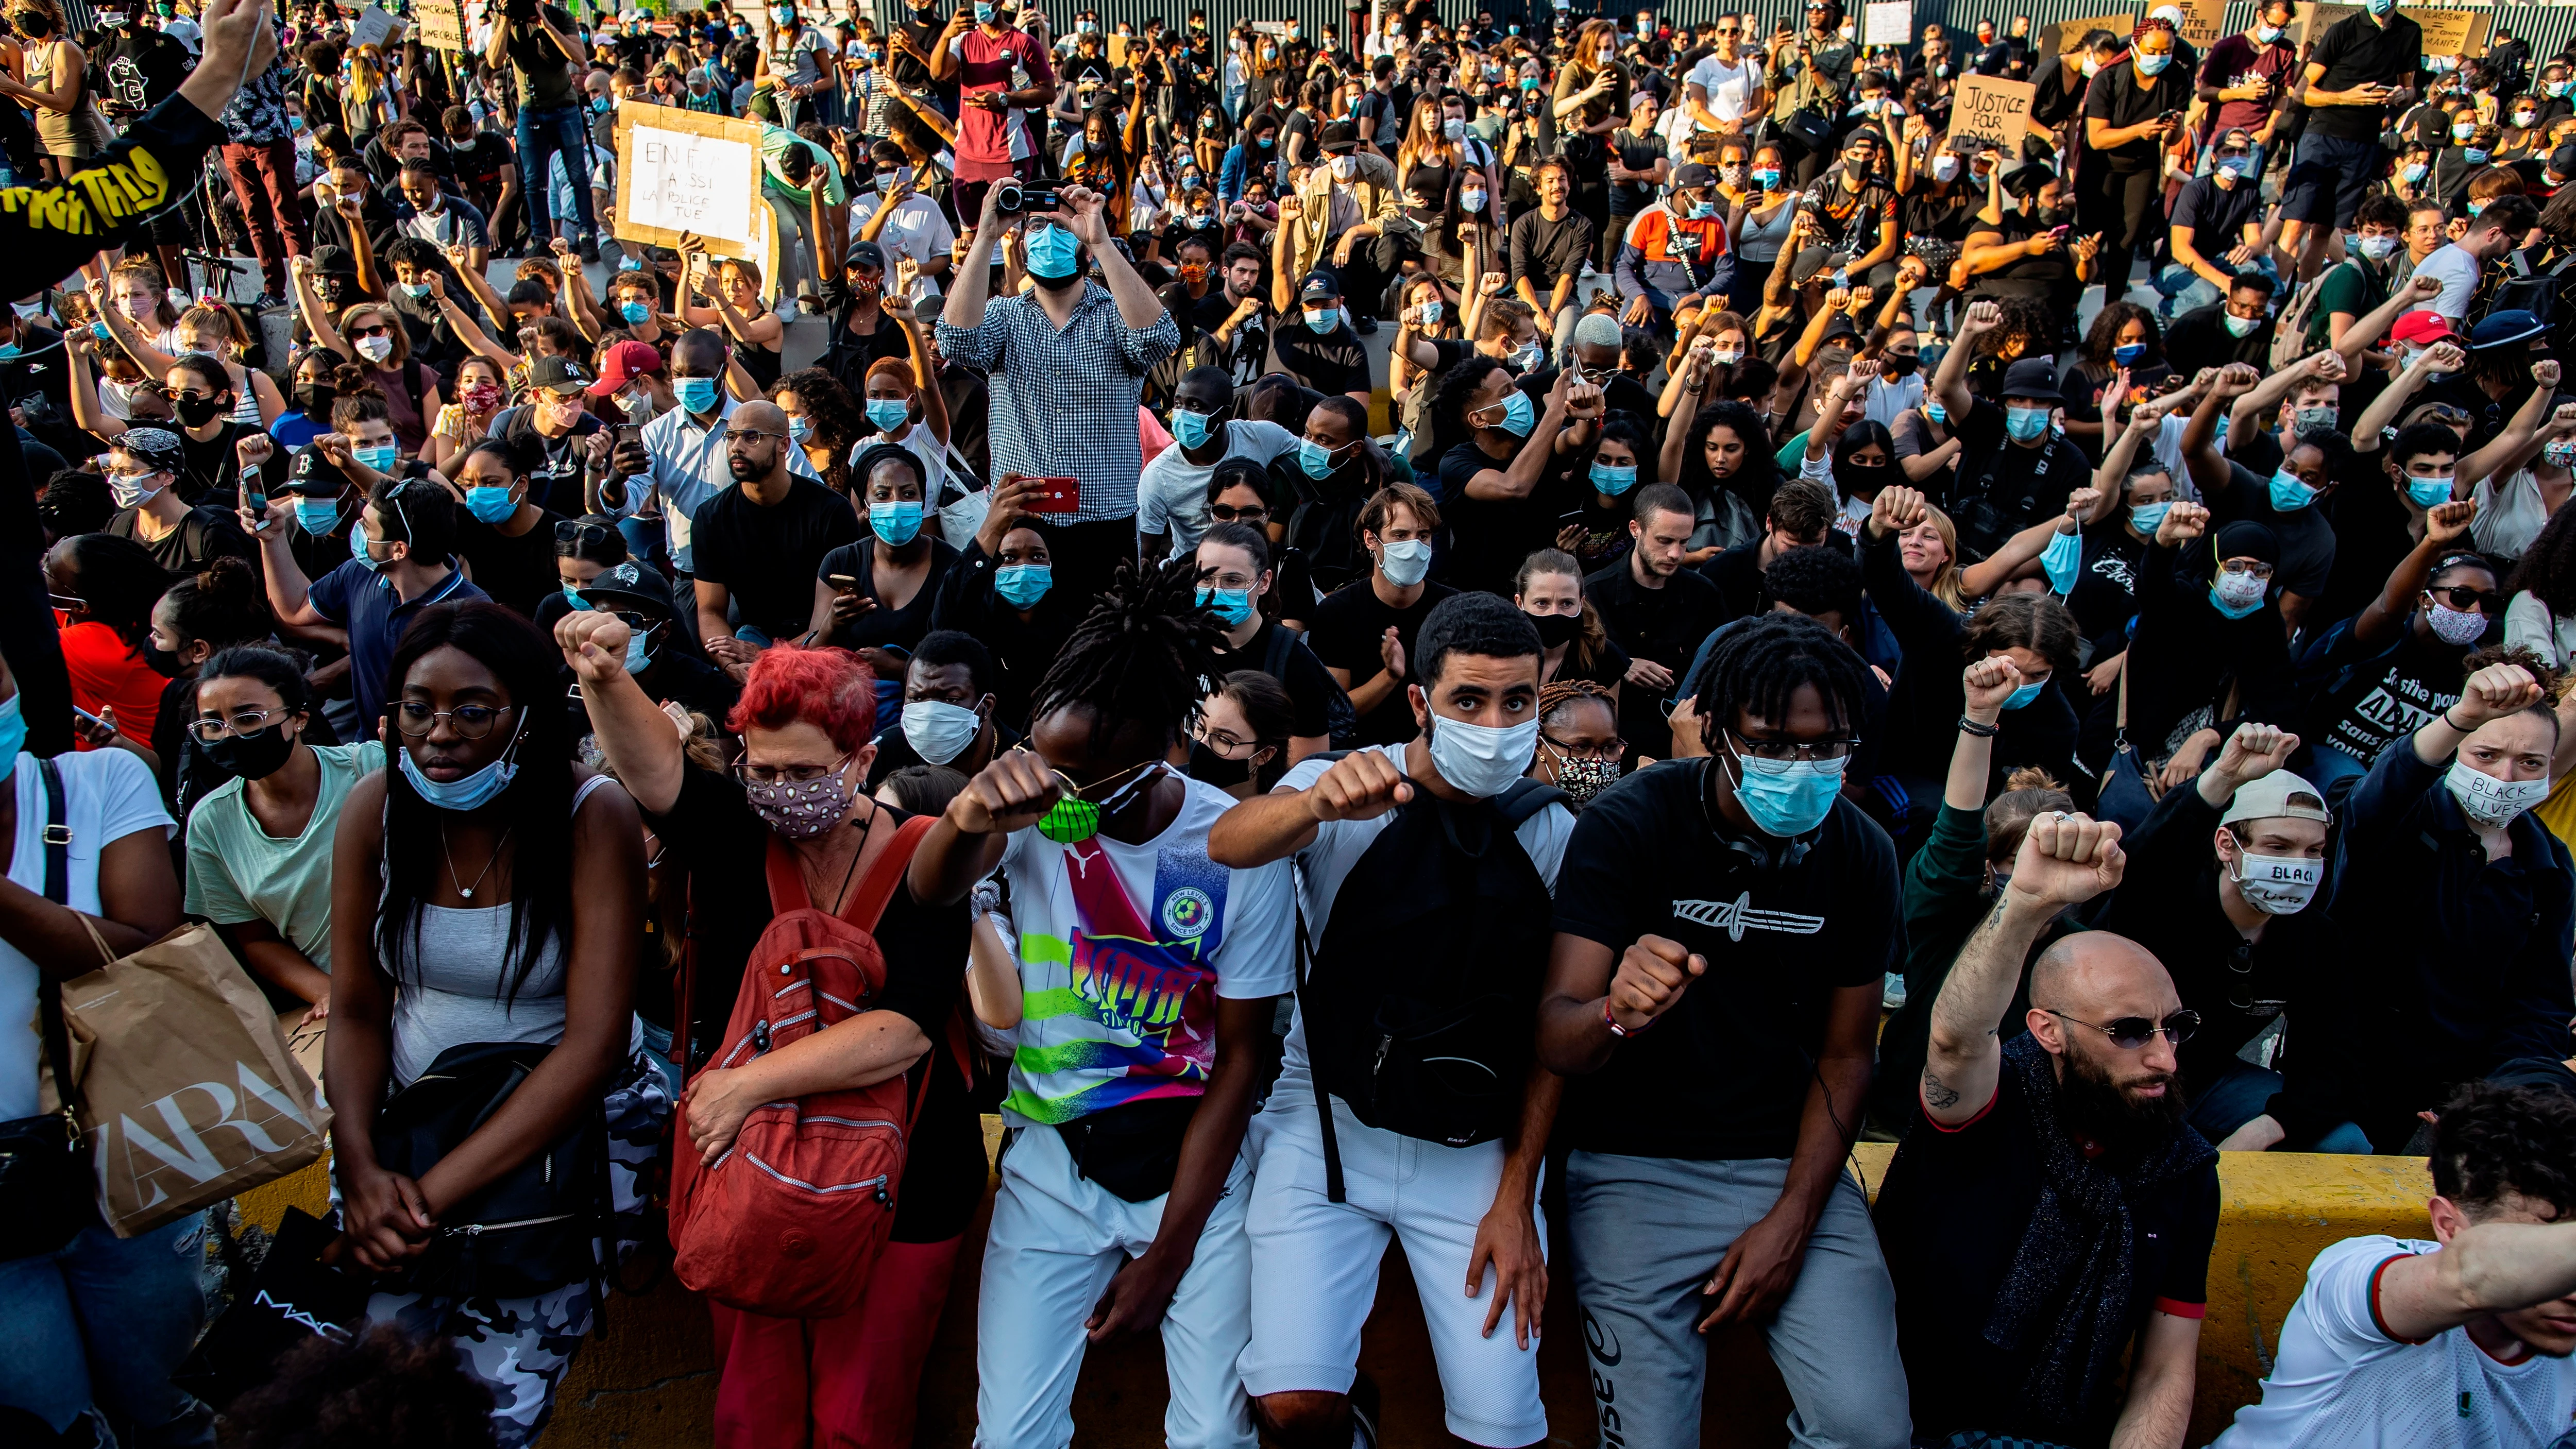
1650 1232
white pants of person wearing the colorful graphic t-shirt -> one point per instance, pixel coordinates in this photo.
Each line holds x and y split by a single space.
1055 1244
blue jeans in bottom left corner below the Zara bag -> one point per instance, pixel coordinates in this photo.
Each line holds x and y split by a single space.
99 1327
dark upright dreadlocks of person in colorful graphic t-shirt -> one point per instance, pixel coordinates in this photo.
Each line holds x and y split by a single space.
1148 652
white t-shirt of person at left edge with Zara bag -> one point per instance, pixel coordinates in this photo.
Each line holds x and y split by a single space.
107 794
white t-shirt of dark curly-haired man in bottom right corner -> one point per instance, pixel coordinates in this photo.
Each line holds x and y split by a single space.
2345 1383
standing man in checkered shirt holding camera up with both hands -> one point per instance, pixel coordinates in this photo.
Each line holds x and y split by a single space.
1068 364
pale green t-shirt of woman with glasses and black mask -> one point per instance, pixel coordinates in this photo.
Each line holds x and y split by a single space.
241 874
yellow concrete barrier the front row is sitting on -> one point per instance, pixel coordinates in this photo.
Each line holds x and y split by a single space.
650 1383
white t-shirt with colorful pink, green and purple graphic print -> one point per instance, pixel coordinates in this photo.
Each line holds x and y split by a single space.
1124 951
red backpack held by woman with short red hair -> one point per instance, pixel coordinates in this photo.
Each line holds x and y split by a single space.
795 1214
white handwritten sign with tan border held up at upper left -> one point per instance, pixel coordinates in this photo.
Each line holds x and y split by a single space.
681 171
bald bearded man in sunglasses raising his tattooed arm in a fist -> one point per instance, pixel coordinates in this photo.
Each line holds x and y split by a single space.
2049 1206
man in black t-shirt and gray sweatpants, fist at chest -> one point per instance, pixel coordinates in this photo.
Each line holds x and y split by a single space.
1748 900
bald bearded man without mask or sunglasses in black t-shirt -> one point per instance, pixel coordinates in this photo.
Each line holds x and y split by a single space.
761 542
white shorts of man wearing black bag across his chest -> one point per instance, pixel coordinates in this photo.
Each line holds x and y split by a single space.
1315 1265
